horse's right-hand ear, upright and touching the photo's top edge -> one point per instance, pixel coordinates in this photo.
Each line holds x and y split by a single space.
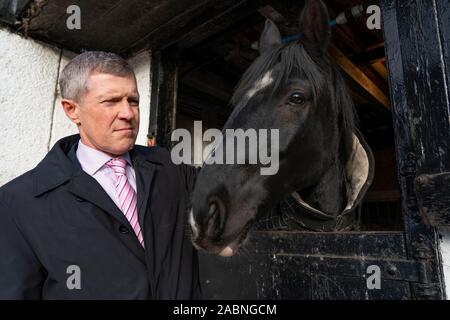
315 27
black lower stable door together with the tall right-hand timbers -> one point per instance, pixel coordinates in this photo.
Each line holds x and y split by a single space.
299 265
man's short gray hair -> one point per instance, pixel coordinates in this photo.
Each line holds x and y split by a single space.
74 77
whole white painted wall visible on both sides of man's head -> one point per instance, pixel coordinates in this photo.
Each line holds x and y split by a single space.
31 116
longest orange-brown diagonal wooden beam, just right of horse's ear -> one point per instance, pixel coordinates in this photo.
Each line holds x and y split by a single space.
360 77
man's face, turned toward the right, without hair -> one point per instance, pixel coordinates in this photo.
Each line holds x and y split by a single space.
108 113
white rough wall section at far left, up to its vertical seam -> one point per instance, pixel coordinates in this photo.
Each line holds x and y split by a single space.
27 86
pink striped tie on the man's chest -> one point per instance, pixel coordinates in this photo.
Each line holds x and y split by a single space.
127 195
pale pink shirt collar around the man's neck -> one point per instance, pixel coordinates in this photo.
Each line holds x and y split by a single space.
92 160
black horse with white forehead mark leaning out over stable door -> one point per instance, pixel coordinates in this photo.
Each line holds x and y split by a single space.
325 167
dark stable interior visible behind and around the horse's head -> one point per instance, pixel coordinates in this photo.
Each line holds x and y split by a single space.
209 71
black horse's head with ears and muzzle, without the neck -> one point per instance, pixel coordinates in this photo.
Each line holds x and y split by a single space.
291 87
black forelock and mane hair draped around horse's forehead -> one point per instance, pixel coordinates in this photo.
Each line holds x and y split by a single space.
320 73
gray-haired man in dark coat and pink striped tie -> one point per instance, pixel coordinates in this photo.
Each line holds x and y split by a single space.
99 218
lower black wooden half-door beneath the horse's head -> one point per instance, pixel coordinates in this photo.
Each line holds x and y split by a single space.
308 265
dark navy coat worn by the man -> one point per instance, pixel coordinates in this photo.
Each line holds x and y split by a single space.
56 216
